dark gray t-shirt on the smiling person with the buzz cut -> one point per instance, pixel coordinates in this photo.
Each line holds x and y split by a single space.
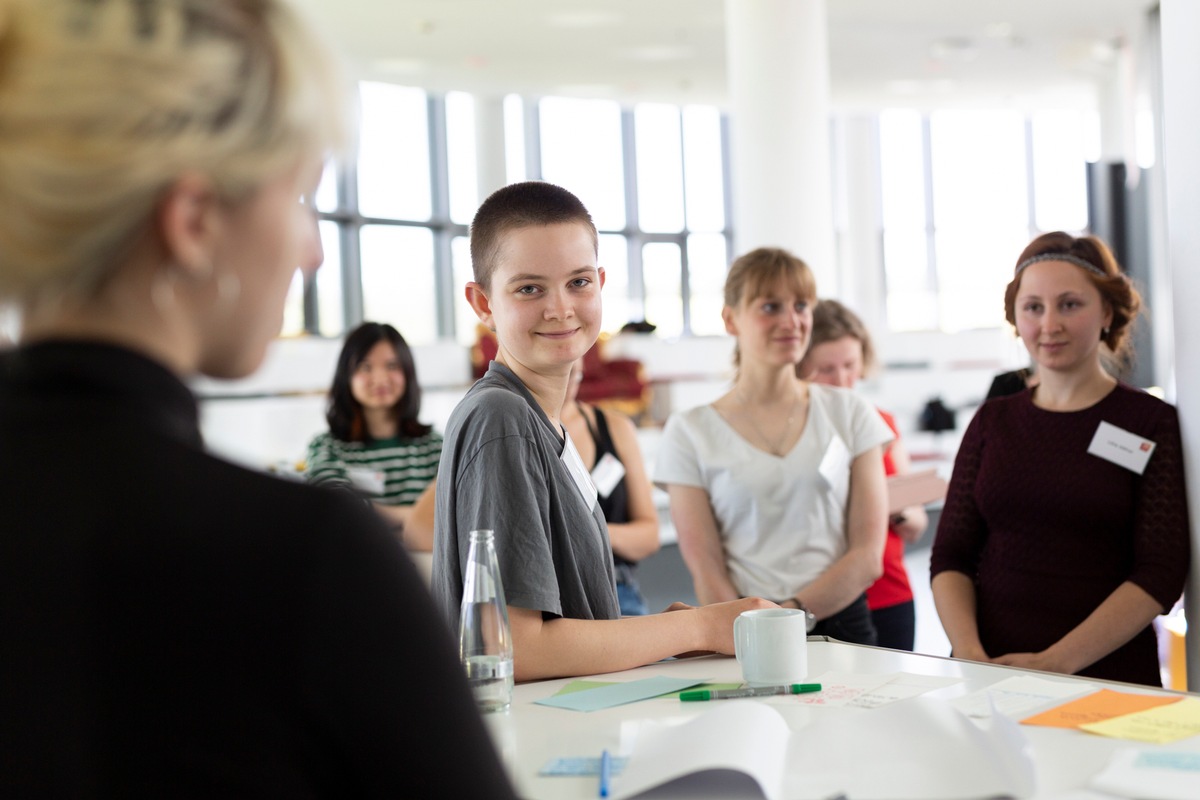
502 470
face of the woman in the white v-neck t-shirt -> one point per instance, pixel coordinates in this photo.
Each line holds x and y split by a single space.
772 329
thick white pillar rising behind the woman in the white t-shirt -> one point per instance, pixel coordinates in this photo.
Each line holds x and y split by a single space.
778 67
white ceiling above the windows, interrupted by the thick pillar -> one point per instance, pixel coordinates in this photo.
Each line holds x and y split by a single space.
922 53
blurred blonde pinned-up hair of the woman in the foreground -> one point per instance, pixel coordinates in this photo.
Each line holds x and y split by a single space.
105 104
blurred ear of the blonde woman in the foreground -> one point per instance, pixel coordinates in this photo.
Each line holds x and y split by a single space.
189 224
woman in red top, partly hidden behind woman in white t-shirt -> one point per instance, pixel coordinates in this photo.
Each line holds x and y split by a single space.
841 354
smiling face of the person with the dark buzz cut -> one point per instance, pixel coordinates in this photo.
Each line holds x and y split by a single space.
544 302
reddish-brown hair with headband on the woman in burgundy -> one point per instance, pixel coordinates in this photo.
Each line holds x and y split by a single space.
1115 287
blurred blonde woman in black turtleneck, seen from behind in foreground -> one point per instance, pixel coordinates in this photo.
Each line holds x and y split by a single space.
173 625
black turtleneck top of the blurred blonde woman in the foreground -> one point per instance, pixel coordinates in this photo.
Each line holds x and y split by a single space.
172 625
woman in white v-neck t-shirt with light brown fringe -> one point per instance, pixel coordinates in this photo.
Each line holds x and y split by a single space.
777 489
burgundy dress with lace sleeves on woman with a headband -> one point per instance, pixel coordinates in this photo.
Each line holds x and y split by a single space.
1047 531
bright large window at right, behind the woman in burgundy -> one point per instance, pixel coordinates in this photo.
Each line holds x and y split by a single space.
963 193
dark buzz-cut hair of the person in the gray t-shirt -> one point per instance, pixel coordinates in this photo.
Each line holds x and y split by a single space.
521 206
